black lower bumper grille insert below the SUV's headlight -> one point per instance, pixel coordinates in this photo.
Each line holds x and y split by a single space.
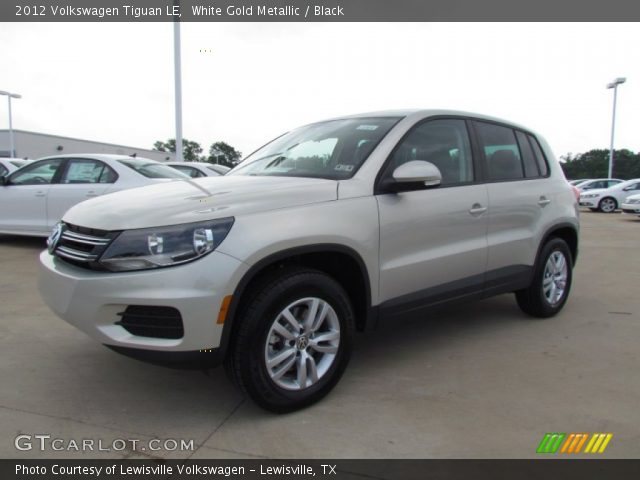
152 321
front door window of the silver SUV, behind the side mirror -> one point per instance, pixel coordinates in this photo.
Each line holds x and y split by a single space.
444 143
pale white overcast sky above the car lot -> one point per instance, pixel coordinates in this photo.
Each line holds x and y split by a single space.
247 83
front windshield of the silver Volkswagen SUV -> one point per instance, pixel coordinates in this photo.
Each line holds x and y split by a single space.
333 149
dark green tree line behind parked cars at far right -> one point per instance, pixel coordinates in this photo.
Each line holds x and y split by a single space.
595 164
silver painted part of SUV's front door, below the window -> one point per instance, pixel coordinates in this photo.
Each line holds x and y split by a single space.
429 238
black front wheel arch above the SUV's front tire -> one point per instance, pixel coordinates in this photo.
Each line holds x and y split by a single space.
342 263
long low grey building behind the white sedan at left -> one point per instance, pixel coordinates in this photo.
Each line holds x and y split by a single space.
33 145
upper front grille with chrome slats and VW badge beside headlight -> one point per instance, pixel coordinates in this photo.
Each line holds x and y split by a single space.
83 246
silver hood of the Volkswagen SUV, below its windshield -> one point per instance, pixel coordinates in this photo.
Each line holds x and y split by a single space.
183 201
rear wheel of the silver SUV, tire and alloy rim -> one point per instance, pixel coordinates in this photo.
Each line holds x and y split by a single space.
545 297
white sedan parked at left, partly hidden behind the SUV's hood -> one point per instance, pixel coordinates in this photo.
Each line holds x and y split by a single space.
35 197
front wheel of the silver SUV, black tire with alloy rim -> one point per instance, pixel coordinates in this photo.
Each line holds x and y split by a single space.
268 354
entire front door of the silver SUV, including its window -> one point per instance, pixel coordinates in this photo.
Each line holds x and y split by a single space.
433 242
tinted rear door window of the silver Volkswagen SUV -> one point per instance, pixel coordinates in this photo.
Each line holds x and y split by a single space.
501 151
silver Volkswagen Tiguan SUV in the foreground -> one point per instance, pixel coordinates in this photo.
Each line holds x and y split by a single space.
322 232
